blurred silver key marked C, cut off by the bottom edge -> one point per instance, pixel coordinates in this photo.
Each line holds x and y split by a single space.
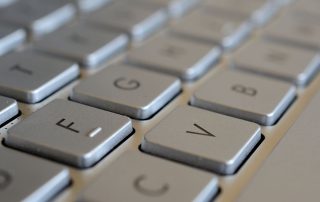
151 179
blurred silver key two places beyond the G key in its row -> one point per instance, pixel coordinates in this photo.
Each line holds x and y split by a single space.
208 26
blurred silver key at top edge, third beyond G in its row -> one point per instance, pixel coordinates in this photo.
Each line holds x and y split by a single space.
258 11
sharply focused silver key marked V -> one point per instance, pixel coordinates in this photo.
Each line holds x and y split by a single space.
200 138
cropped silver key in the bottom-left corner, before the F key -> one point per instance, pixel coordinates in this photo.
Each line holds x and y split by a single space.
28 178
